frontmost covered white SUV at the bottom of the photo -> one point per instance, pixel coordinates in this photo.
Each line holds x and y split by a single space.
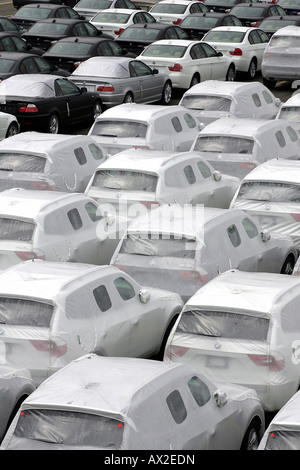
115 404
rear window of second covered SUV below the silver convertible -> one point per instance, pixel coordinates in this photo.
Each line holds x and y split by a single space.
125 180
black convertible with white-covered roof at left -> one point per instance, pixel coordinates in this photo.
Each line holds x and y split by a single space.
46 103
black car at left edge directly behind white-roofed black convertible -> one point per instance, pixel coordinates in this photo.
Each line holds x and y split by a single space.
20 63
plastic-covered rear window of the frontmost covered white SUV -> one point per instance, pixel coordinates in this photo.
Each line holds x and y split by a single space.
70 428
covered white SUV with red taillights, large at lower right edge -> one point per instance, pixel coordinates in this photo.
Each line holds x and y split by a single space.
243 328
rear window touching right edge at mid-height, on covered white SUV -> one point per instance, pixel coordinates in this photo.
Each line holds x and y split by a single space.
269 191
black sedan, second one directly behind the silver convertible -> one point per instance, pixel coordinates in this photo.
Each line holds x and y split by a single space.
44 32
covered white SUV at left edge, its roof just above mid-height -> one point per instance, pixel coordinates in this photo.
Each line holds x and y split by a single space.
55 226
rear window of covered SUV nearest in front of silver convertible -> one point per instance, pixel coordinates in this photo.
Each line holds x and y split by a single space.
121 129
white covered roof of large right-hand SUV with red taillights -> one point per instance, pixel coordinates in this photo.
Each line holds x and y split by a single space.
252 291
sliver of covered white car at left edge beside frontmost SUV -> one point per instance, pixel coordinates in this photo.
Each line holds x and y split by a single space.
15 385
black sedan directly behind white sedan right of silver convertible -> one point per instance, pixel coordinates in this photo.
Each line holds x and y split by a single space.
136 37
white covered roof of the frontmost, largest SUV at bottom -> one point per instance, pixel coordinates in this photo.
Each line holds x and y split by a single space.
106 384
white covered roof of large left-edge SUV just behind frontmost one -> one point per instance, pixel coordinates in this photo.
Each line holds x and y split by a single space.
49 278
